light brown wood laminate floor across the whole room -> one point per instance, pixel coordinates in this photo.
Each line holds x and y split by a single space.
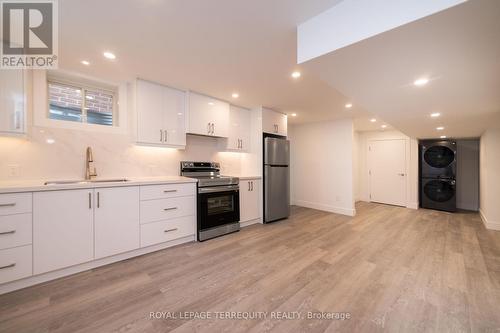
392 269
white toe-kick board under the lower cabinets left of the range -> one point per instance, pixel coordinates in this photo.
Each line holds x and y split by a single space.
36 279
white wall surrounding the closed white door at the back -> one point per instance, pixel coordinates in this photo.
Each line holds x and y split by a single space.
411 164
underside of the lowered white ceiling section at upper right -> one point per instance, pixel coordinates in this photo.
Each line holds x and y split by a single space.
458 49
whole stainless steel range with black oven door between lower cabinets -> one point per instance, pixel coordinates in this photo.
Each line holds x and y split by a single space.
218 199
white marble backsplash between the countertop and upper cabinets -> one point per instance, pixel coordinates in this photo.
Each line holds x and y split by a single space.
57 154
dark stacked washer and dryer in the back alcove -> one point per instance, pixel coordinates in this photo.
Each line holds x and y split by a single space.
438 170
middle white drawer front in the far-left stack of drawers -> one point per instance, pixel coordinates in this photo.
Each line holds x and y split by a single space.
15 230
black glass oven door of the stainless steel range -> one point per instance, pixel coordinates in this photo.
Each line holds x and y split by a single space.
217 206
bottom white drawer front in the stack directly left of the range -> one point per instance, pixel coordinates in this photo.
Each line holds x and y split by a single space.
164 231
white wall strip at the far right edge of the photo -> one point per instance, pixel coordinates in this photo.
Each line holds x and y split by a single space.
490 178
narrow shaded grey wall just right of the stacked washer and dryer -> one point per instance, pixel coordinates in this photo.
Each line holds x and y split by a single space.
468 174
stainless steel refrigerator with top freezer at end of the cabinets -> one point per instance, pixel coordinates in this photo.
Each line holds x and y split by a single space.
276 179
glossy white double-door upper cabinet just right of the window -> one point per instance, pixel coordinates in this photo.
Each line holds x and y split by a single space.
161 115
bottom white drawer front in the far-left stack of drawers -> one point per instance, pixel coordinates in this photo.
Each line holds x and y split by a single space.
15 263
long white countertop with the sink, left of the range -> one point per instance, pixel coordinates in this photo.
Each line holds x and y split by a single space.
38 185
